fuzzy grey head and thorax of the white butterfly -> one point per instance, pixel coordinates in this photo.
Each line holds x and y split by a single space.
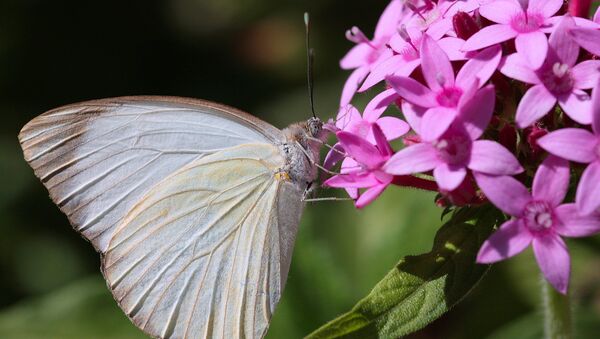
304 139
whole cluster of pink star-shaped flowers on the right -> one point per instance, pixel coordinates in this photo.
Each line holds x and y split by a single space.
495 96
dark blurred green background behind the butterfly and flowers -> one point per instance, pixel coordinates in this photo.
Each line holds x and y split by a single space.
248 54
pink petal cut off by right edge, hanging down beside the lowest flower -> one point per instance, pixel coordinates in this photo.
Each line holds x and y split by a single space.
588 190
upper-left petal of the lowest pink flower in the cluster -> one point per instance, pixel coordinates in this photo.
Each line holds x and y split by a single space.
504 192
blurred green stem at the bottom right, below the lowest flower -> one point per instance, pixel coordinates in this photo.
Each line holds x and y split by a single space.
557 313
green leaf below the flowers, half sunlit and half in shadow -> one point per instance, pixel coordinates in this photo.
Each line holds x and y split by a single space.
421 288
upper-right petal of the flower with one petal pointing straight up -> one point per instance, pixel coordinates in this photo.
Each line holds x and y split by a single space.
481 66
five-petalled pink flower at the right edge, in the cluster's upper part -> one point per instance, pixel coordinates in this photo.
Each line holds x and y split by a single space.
559 79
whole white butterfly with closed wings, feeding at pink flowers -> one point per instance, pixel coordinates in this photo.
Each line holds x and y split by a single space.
193 206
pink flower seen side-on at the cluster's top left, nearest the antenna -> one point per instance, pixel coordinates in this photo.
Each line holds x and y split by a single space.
368 53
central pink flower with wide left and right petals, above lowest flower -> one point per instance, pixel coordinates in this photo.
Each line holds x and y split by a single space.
457 150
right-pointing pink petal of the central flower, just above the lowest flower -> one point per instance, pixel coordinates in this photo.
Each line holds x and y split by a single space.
490 157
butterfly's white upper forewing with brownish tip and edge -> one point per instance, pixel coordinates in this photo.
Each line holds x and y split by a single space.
98 158
